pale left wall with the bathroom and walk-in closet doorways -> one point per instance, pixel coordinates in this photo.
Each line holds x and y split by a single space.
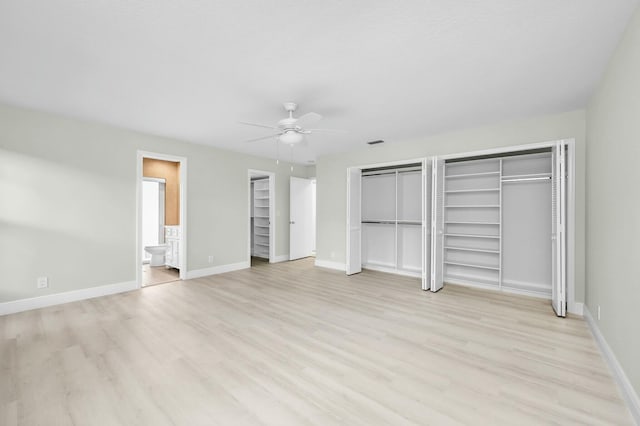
68 202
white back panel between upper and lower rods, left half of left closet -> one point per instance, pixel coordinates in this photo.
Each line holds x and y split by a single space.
379 197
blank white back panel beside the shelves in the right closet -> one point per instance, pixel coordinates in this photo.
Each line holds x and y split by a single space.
526 235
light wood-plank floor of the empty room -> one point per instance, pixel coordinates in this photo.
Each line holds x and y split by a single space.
291 344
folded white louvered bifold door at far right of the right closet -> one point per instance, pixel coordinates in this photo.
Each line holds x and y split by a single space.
559 237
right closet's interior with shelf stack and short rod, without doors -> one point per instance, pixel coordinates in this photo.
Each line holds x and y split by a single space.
483 198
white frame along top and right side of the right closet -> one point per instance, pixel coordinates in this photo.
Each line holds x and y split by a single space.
572 305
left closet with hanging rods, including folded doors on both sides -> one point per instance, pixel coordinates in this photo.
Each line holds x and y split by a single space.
387 216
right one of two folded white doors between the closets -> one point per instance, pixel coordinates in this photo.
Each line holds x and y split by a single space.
437 224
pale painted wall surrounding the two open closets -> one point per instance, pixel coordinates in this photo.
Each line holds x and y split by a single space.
331 173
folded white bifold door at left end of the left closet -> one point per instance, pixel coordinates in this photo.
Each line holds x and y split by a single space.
354 221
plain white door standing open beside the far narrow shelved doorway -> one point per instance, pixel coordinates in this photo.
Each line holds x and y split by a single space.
300 218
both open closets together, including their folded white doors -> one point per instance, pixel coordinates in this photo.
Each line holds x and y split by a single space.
500 219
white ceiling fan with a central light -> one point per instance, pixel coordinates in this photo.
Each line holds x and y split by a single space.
290 130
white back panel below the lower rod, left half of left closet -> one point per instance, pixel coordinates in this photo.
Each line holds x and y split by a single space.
378 245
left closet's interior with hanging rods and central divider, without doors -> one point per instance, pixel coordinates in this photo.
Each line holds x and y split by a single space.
392 220
